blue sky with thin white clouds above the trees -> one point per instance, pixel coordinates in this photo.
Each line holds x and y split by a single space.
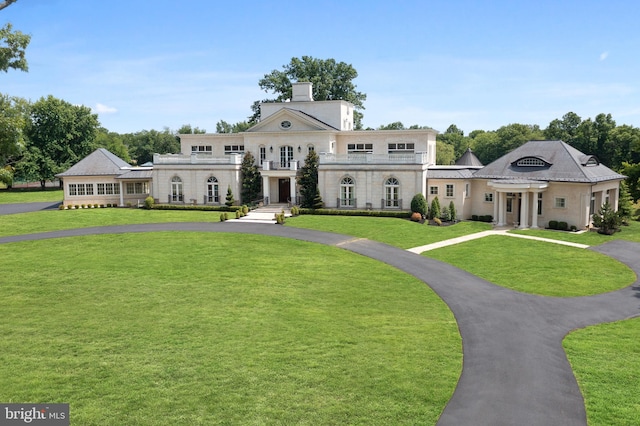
143 64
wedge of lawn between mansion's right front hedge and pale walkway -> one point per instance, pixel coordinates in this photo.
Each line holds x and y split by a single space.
396 232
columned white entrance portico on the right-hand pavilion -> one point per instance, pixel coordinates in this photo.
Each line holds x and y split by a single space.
527 189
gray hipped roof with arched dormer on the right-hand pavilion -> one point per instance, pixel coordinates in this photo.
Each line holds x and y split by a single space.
563 164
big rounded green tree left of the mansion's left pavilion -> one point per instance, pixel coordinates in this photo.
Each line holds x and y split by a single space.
59 134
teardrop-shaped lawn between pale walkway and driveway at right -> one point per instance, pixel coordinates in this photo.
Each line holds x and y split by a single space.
537 267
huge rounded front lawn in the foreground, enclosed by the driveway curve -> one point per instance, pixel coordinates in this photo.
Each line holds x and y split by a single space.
189 328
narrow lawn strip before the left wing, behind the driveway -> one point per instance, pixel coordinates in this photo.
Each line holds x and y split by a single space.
55 220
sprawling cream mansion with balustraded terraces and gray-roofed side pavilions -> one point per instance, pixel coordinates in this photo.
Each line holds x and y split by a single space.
537 182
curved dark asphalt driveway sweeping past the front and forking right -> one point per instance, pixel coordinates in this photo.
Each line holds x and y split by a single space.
515 370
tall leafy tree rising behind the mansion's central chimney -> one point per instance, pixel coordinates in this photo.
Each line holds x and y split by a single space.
331 81
